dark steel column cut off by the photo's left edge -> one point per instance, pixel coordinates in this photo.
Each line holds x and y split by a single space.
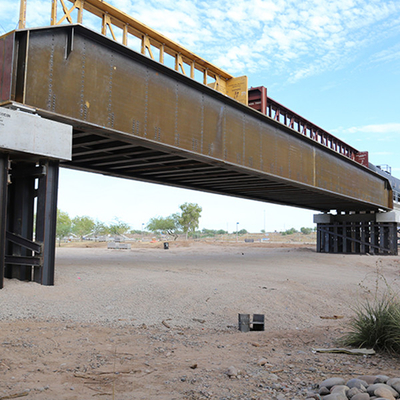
3 212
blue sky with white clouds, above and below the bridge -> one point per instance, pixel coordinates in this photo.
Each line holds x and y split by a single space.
335 62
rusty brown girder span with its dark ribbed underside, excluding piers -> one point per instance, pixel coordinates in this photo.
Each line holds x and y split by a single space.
139 102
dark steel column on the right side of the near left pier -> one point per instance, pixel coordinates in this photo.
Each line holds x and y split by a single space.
46 221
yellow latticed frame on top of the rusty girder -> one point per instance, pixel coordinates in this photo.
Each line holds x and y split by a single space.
126 29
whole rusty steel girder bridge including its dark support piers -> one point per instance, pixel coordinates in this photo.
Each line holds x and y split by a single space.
135 118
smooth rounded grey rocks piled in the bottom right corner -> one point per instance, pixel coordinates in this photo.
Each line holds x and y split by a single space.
367 387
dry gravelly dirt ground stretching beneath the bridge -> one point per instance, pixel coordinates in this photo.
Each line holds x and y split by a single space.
149 323
